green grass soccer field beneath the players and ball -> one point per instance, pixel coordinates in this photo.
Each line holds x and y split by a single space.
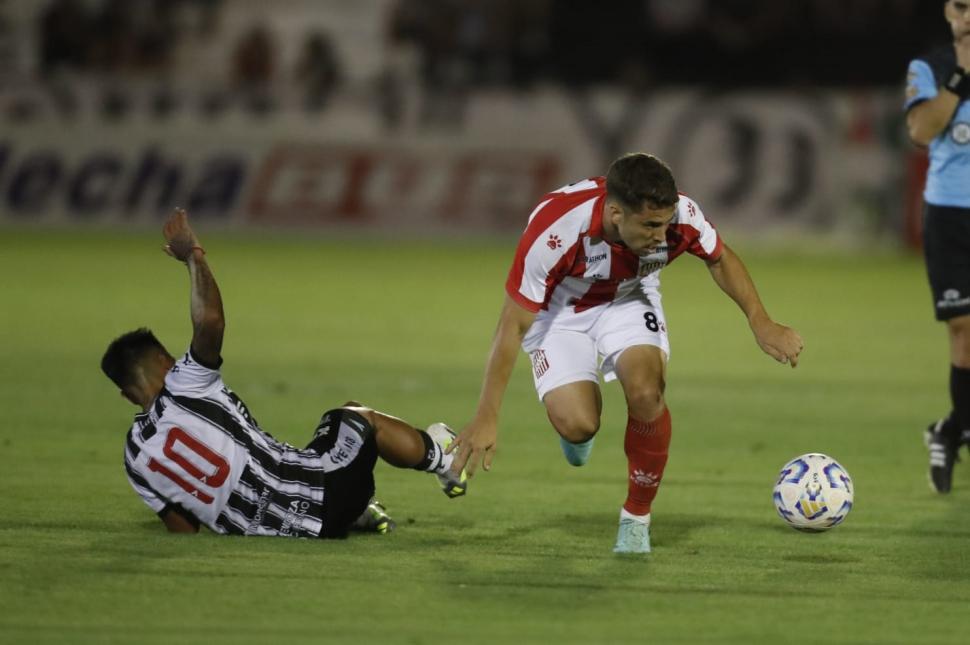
526 556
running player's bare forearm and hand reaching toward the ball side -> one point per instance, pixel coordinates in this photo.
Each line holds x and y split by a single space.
778 341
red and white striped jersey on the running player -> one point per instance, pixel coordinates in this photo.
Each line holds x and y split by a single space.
563 261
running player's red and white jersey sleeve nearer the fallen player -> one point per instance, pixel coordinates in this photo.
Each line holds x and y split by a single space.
535 268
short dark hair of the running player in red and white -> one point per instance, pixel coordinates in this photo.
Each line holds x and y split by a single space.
637 179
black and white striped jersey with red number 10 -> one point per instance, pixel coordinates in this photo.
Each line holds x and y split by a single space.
200 449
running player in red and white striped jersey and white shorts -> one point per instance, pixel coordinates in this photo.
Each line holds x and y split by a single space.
583 299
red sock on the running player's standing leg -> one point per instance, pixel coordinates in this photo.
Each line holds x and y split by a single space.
646 453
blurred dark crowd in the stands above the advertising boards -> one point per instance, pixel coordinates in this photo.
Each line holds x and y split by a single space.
447 48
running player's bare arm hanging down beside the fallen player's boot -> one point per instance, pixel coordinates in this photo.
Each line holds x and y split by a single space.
477 440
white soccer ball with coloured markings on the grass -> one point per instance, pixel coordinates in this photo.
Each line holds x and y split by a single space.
813 492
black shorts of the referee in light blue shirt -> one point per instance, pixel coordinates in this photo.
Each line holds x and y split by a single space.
946 246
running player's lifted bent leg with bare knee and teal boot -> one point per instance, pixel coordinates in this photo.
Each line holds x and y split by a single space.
574 410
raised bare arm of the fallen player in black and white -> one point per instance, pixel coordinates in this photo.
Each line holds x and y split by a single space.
208 319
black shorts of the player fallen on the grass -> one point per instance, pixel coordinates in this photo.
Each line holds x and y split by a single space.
346 441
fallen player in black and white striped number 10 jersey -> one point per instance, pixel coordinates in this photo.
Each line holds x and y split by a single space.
197 456
